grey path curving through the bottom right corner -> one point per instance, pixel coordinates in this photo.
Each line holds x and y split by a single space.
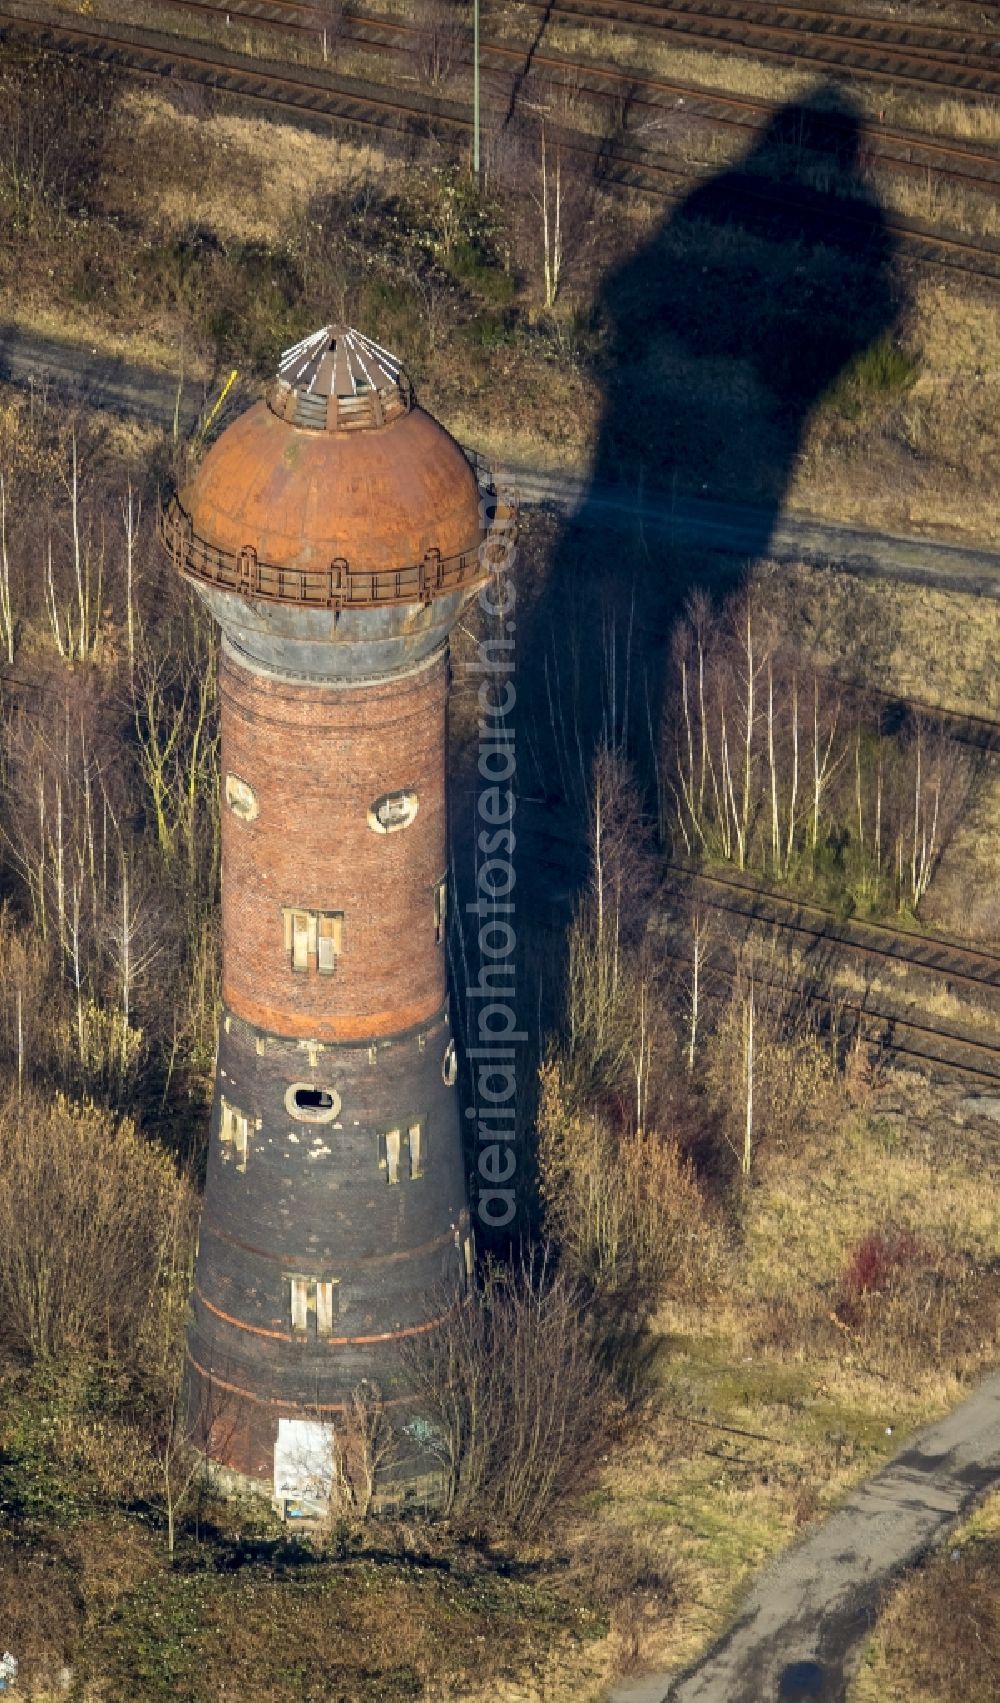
803 1626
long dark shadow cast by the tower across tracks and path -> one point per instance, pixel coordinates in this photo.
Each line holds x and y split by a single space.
750 301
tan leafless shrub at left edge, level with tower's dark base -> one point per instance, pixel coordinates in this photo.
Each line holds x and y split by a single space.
96 1234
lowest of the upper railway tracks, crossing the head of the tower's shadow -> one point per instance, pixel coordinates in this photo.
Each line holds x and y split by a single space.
336 100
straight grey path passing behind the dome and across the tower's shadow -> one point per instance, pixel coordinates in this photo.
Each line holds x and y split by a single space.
727 529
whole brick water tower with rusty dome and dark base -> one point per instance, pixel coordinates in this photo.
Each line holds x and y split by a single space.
335 532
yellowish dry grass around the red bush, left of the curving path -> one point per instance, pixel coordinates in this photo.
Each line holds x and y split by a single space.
807 1401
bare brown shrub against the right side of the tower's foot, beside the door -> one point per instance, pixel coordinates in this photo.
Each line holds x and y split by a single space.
519 1404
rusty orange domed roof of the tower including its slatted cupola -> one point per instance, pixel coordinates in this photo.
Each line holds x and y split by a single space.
338 467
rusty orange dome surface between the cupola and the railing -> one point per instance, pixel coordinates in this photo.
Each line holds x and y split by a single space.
304 498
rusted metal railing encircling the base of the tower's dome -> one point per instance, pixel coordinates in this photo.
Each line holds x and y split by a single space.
338 587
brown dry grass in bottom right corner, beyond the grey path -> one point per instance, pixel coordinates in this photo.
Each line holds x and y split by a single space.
940 1634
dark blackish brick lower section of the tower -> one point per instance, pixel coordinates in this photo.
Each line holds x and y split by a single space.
313 1201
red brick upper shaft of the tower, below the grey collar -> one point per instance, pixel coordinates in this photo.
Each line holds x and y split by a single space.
318 759
